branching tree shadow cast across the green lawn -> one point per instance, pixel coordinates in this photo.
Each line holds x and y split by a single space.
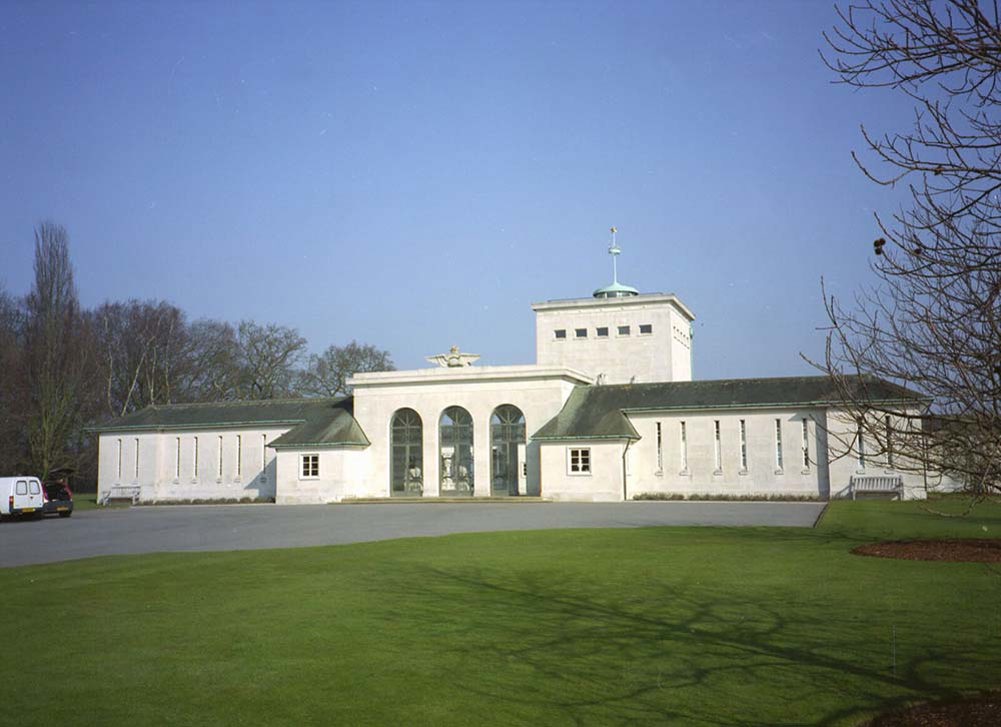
694 654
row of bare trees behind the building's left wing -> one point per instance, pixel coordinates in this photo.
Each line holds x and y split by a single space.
64 368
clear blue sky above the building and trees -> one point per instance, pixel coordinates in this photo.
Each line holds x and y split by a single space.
416 175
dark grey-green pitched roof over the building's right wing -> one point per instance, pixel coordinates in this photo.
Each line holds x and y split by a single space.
595 413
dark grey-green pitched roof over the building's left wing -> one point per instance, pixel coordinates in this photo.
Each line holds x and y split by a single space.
316 422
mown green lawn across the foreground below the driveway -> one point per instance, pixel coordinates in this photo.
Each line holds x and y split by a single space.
668 625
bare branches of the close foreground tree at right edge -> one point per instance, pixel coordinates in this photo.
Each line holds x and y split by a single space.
934 322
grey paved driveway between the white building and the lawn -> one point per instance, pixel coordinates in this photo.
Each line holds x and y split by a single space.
252 527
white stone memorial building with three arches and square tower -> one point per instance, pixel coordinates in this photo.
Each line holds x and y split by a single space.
608 412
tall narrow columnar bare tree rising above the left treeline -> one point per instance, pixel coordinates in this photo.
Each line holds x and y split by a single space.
57 350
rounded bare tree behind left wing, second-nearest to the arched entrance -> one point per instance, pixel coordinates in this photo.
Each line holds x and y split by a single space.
268 360
